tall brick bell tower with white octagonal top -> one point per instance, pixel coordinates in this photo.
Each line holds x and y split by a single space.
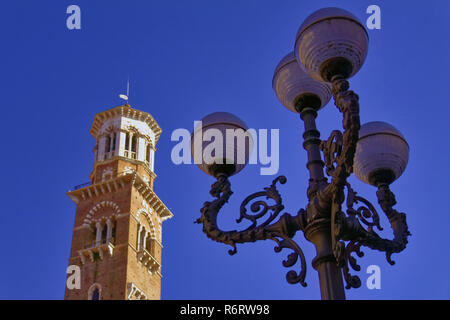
117 234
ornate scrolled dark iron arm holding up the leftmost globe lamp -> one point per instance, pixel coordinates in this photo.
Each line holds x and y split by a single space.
281 231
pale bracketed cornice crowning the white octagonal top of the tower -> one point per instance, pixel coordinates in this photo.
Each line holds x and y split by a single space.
124 111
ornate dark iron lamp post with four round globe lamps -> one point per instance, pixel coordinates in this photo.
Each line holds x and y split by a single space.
330 47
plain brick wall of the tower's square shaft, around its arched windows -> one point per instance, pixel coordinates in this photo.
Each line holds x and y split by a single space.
114 273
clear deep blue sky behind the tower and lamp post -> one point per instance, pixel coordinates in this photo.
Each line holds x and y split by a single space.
187 59
